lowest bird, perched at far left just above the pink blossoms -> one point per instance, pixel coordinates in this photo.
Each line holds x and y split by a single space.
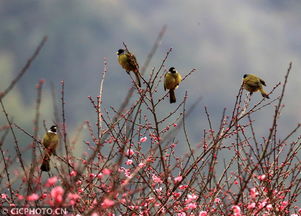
50 142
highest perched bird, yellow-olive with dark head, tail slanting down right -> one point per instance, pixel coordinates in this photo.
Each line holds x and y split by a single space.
128 62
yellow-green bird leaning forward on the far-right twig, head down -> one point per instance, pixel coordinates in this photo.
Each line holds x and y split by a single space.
253 83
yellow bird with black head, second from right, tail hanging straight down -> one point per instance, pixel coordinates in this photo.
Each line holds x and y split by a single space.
172 80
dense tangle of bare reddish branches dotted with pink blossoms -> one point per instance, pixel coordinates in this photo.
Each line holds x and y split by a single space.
131 167
